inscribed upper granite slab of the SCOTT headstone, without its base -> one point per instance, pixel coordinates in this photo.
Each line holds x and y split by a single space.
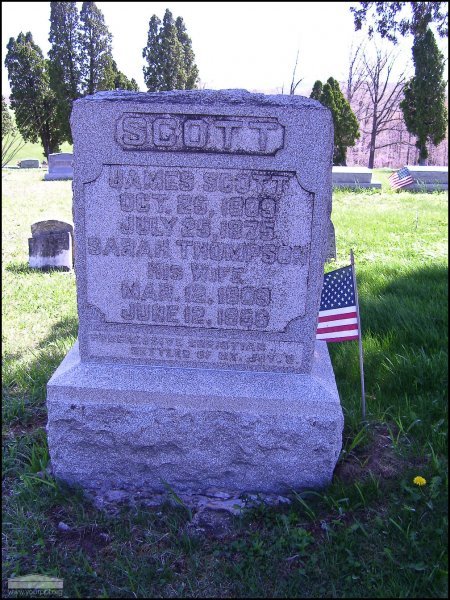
201 220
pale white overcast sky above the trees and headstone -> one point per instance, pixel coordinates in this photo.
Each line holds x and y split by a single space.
244 45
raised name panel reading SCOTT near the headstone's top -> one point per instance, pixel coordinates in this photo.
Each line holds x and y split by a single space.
200 133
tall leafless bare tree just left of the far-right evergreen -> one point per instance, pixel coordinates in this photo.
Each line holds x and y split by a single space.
382 114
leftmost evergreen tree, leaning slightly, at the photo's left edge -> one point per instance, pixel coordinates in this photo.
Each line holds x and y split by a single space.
31 98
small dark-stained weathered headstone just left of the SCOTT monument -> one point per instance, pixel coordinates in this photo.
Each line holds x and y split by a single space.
50 246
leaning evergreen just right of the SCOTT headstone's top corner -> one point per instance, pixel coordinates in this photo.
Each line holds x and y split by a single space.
346 128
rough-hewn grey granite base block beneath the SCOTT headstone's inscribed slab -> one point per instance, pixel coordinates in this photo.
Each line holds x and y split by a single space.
133 429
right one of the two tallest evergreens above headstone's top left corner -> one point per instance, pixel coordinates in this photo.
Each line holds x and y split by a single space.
95 49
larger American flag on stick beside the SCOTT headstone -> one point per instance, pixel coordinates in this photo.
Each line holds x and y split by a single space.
338 318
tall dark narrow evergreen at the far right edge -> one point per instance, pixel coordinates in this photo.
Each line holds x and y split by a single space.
423 105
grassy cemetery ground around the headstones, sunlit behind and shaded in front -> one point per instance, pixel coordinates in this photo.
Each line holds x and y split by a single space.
372 533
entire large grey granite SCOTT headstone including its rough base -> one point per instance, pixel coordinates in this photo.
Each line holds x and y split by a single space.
201 224
